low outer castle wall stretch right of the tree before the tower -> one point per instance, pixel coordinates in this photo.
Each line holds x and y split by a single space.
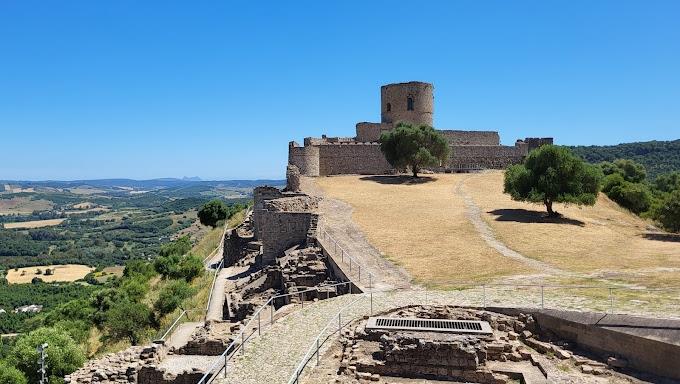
485 156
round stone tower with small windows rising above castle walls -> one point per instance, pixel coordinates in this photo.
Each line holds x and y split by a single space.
410 102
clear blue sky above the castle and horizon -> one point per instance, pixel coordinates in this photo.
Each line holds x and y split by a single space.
216 89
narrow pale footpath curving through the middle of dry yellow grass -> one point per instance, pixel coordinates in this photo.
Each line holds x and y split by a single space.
474 214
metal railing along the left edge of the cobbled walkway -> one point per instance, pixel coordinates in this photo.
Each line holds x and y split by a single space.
249 329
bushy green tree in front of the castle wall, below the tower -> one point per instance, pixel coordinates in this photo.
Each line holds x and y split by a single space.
414 147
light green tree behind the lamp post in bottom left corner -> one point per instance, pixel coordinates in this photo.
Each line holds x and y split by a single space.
63 354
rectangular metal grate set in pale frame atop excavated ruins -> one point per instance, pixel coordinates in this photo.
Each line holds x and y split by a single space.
429 325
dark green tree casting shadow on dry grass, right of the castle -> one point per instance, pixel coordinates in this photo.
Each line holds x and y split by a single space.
553 174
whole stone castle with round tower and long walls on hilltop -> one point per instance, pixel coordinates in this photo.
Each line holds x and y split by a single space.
413 103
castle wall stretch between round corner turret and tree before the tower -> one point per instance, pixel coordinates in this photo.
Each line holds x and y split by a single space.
358 158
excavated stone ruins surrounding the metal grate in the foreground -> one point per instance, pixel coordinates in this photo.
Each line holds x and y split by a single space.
517 351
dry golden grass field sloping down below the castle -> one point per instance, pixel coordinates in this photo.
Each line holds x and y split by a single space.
425 228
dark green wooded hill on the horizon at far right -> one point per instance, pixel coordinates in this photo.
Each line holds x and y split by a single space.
657 156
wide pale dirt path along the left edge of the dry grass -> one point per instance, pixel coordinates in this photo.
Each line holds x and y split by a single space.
336 219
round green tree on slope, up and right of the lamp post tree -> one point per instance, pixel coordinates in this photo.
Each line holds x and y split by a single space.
128 320
